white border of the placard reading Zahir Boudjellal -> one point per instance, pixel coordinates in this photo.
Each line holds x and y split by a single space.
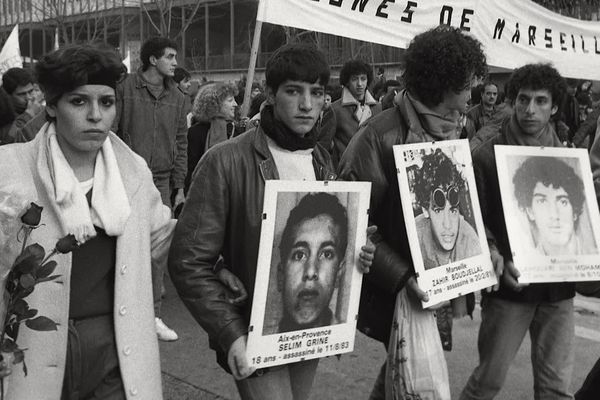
457 278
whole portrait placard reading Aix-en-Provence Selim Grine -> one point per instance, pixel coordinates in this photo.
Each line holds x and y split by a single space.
307 288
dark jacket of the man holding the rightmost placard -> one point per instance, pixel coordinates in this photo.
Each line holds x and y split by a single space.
488 190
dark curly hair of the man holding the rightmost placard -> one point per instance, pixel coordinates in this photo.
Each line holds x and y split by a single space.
537 77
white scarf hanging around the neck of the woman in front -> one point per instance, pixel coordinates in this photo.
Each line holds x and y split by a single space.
110 207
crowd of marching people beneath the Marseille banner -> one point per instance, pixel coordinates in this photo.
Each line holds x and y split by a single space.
152 170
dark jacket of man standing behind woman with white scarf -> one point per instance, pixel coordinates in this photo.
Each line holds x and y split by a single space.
155 128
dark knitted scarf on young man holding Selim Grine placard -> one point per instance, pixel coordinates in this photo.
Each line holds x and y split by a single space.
284 136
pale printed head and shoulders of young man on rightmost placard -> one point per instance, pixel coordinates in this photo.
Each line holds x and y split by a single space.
551 194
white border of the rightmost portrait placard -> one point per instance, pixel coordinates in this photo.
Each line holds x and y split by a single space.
537 268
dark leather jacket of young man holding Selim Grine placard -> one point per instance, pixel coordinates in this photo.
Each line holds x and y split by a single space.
222 216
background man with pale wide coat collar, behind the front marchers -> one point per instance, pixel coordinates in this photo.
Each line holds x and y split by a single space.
355 106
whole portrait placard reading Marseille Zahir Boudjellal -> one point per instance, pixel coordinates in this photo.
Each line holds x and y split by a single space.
443 220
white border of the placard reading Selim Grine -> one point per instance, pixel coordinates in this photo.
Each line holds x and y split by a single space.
283 348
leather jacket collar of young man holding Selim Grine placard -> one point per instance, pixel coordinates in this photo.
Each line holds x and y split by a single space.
268 170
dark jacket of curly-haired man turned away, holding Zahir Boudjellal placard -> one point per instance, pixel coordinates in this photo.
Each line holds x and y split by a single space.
369 157
